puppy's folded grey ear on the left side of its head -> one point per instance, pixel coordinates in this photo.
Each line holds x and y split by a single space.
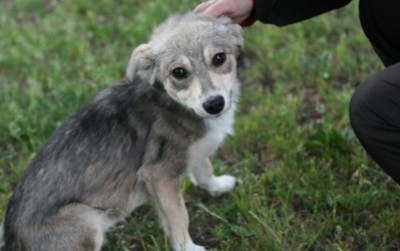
142 64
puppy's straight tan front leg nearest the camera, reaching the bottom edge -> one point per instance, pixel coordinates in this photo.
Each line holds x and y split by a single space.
166 193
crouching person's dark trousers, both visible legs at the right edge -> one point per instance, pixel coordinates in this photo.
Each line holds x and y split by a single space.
375 105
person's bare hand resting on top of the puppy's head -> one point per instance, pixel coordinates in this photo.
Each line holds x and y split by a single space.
238 10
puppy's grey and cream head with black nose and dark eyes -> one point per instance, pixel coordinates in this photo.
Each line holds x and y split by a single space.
194 58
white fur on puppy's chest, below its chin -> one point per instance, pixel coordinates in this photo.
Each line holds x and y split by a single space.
217 129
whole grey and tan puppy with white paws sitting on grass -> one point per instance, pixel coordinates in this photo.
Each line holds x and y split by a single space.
134 142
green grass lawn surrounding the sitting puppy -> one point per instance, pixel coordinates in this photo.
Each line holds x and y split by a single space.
305 183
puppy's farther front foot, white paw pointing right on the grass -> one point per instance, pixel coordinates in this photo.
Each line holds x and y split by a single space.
203 177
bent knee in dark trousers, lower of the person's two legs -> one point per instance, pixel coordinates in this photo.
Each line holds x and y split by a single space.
375 118
